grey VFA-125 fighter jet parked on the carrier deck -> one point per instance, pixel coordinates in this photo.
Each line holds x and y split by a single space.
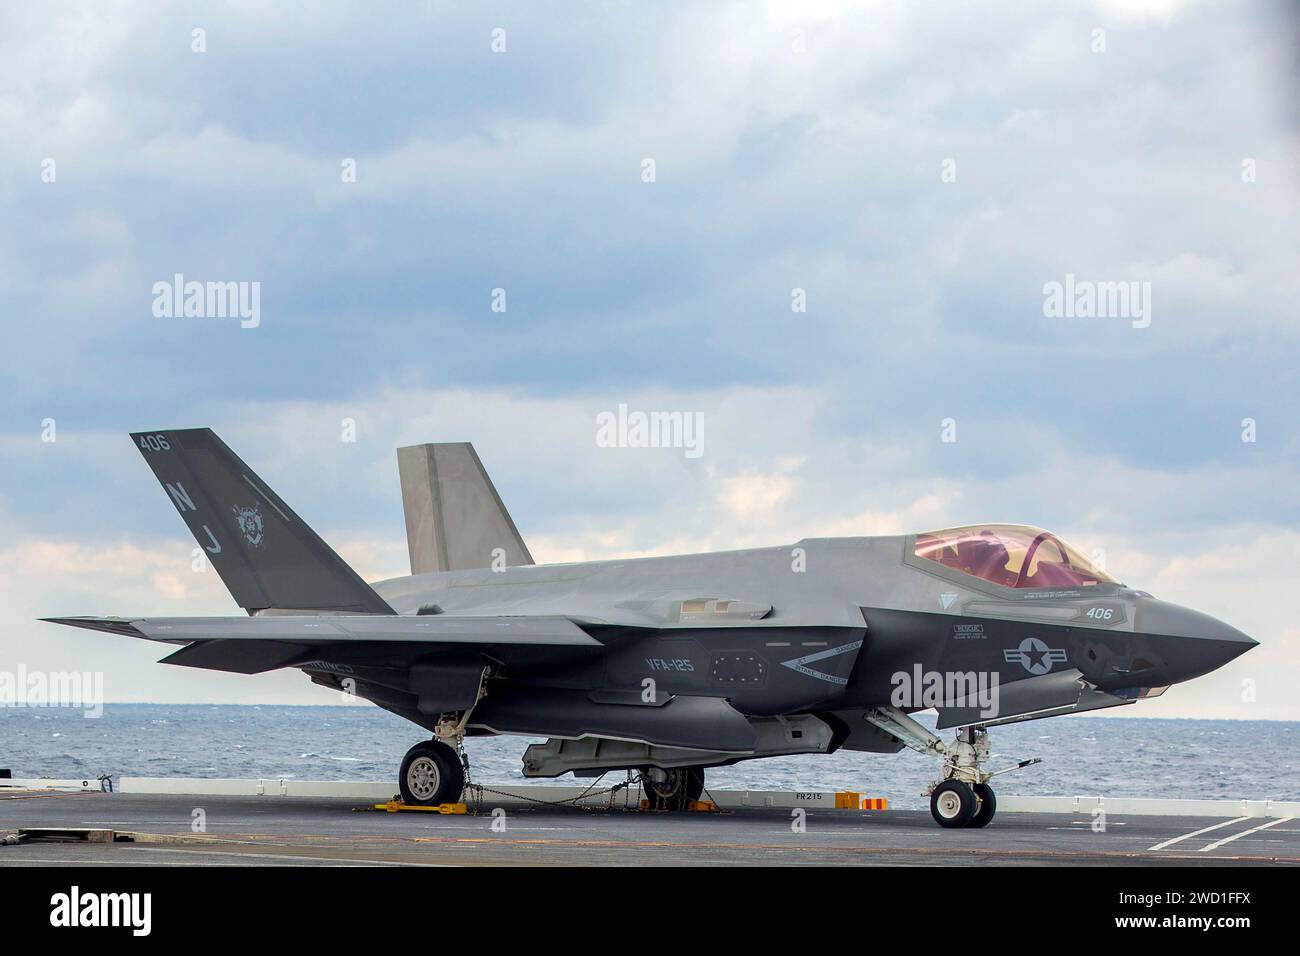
668 667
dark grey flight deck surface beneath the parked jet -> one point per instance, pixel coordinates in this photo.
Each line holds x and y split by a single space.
248 830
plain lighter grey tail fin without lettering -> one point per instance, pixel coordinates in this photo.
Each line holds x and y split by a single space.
454 517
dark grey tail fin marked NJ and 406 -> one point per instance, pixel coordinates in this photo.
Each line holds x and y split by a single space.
265 553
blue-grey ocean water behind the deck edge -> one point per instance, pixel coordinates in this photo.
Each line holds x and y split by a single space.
1113 756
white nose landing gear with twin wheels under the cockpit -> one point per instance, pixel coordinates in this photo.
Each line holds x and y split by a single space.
961 798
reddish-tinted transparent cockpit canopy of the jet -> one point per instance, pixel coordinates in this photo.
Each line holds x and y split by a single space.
1015 556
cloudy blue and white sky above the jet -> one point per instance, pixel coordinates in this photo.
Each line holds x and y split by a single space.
920 170
